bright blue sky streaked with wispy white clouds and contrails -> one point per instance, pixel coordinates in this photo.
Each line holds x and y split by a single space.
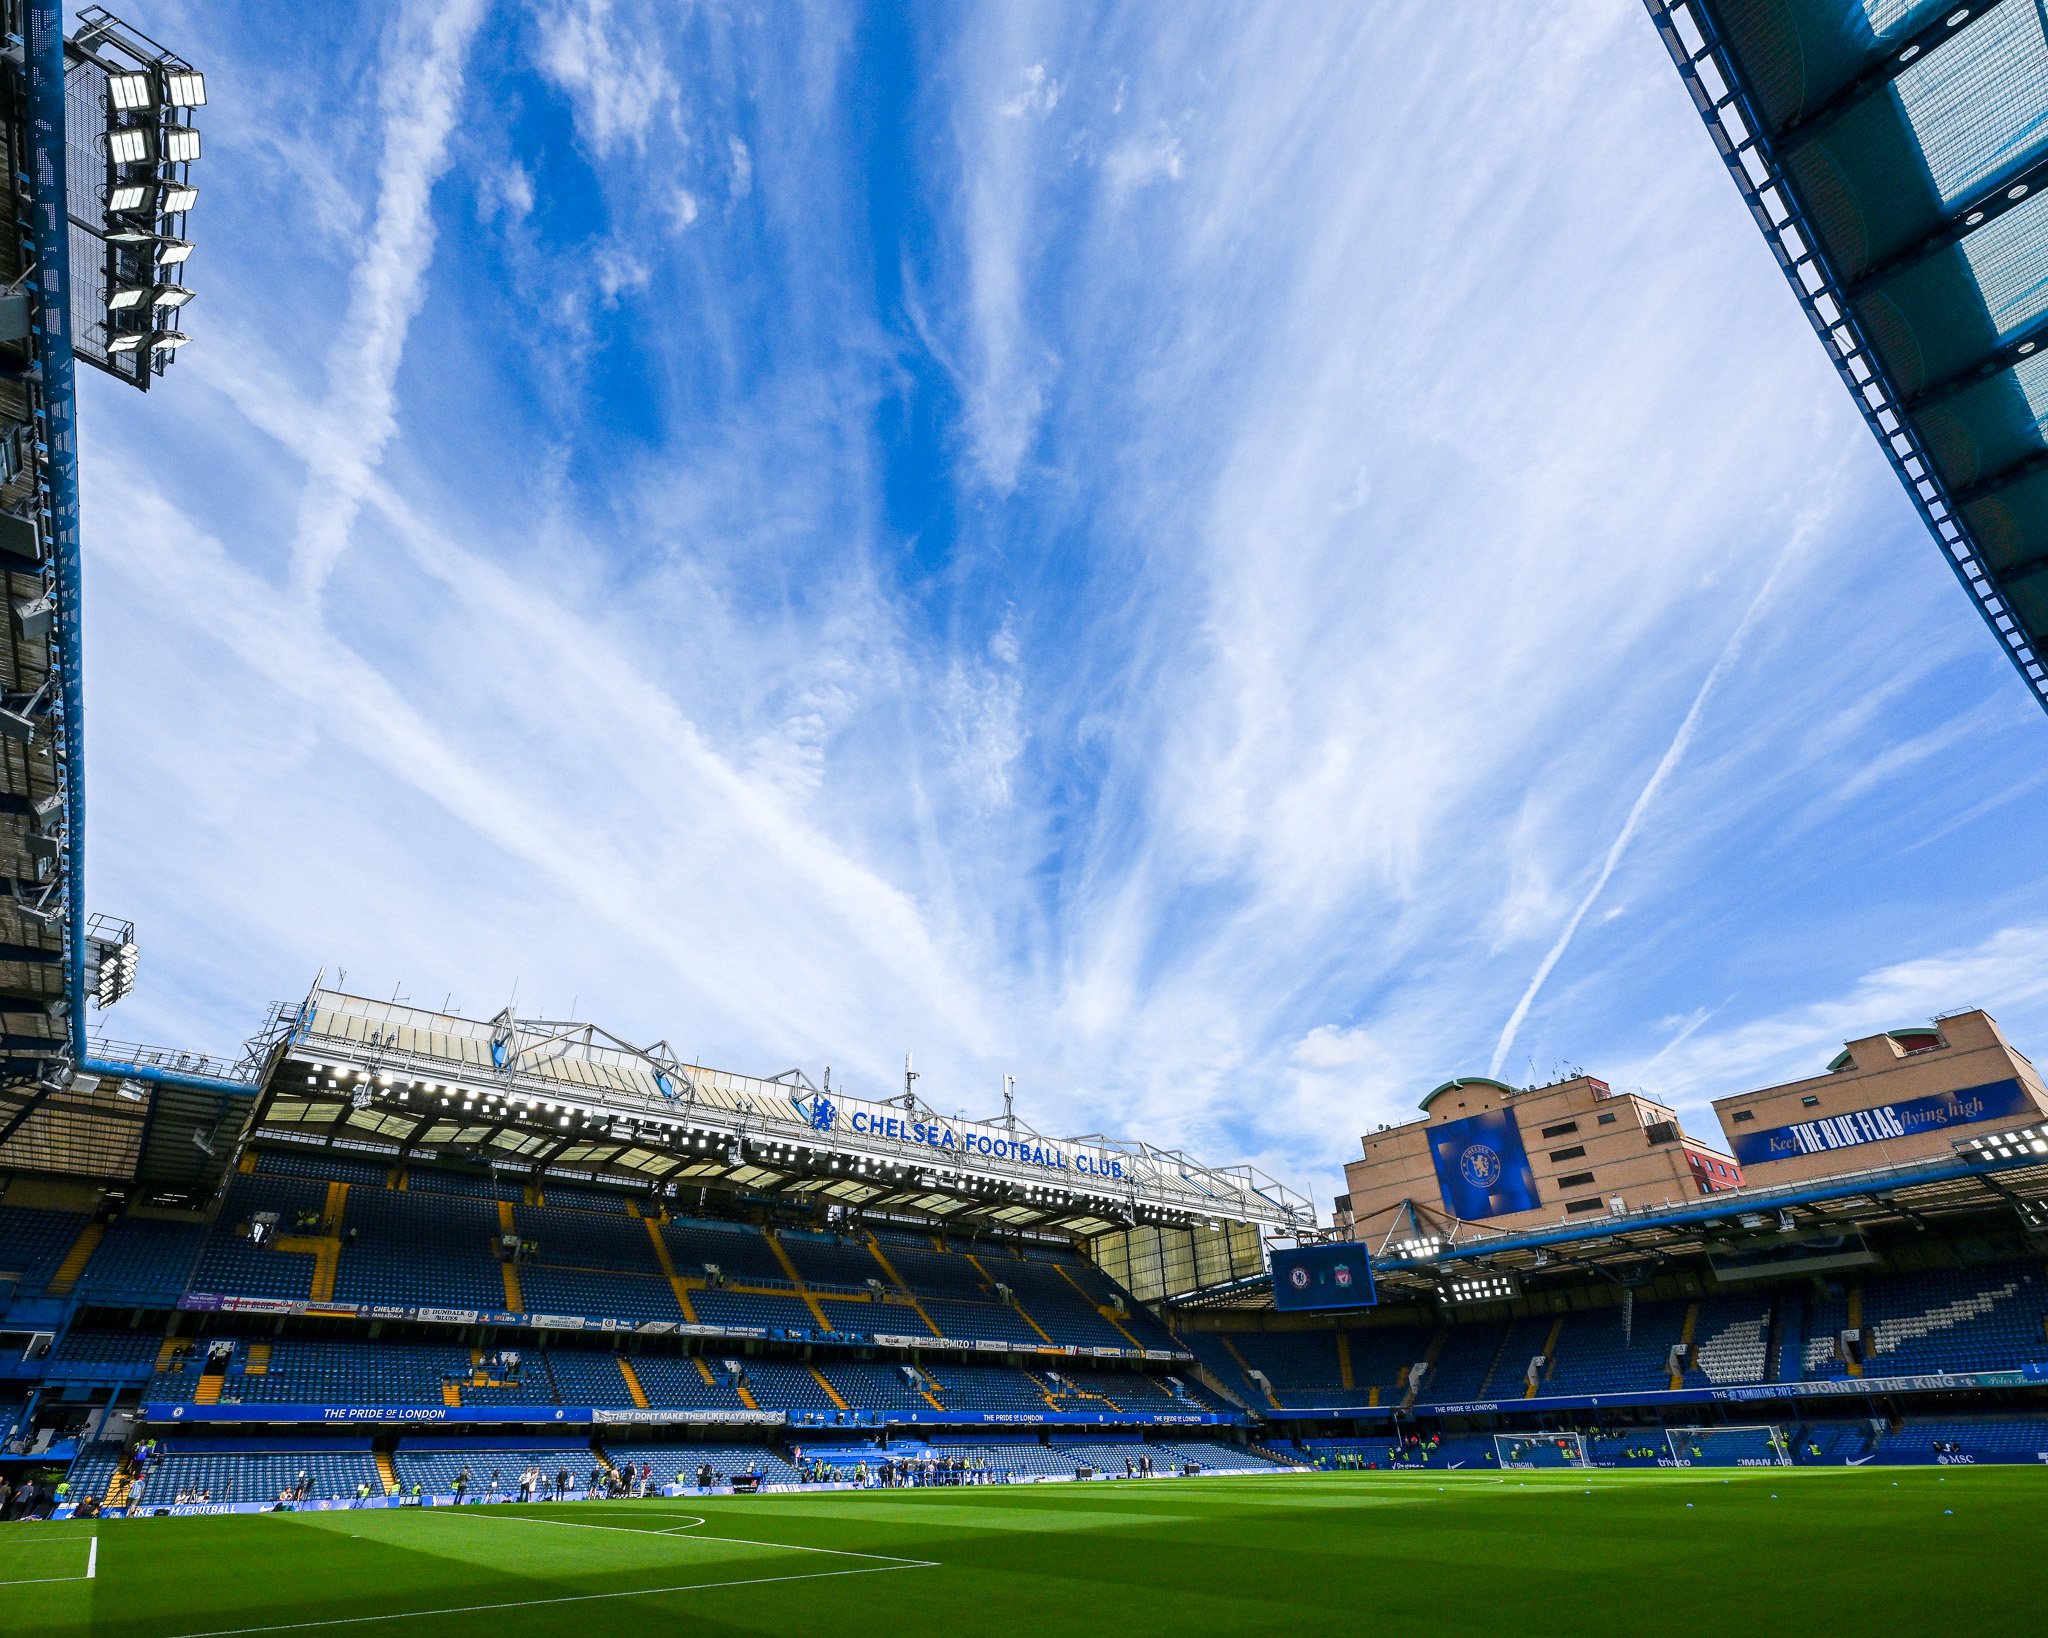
1230 562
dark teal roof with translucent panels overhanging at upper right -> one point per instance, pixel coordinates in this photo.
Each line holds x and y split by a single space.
1895 157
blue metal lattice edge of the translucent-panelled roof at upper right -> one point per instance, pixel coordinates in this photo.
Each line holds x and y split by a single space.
1730 112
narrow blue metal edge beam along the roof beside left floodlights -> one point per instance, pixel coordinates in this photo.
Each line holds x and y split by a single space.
60 421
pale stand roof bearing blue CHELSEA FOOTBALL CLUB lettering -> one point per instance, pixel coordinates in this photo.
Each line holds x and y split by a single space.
564 1101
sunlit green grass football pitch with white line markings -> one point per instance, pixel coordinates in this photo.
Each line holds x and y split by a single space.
1811 1551
